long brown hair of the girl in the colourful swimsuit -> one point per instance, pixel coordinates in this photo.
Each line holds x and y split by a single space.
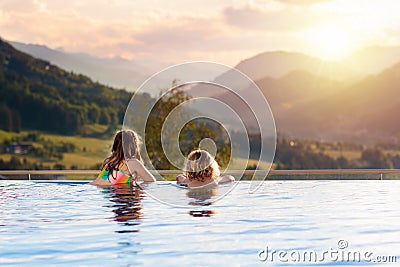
126 145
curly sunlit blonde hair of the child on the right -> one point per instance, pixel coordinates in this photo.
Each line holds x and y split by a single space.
200 165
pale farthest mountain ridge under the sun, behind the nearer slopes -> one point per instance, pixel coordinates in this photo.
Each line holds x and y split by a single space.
276 64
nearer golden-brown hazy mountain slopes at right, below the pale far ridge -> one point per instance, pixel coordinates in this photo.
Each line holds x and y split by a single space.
314 107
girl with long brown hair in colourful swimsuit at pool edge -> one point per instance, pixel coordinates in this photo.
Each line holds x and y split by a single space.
125 164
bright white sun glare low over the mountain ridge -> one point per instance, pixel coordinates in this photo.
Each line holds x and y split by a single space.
330 43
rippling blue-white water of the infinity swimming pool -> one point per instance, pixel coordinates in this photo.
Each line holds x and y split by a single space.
284 222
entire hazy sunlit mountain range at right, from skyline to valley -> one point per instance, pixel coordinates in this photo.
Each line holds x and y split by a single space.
316 99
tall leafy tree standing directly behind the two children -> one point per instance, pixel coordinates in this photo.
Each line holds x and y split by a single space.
190 136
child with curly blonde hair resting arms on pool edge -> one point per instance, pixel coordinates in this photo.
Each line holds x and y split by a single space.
201 169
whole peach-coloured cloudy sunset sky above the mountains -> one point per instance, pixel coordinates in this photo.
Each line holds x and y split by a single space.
223 31
